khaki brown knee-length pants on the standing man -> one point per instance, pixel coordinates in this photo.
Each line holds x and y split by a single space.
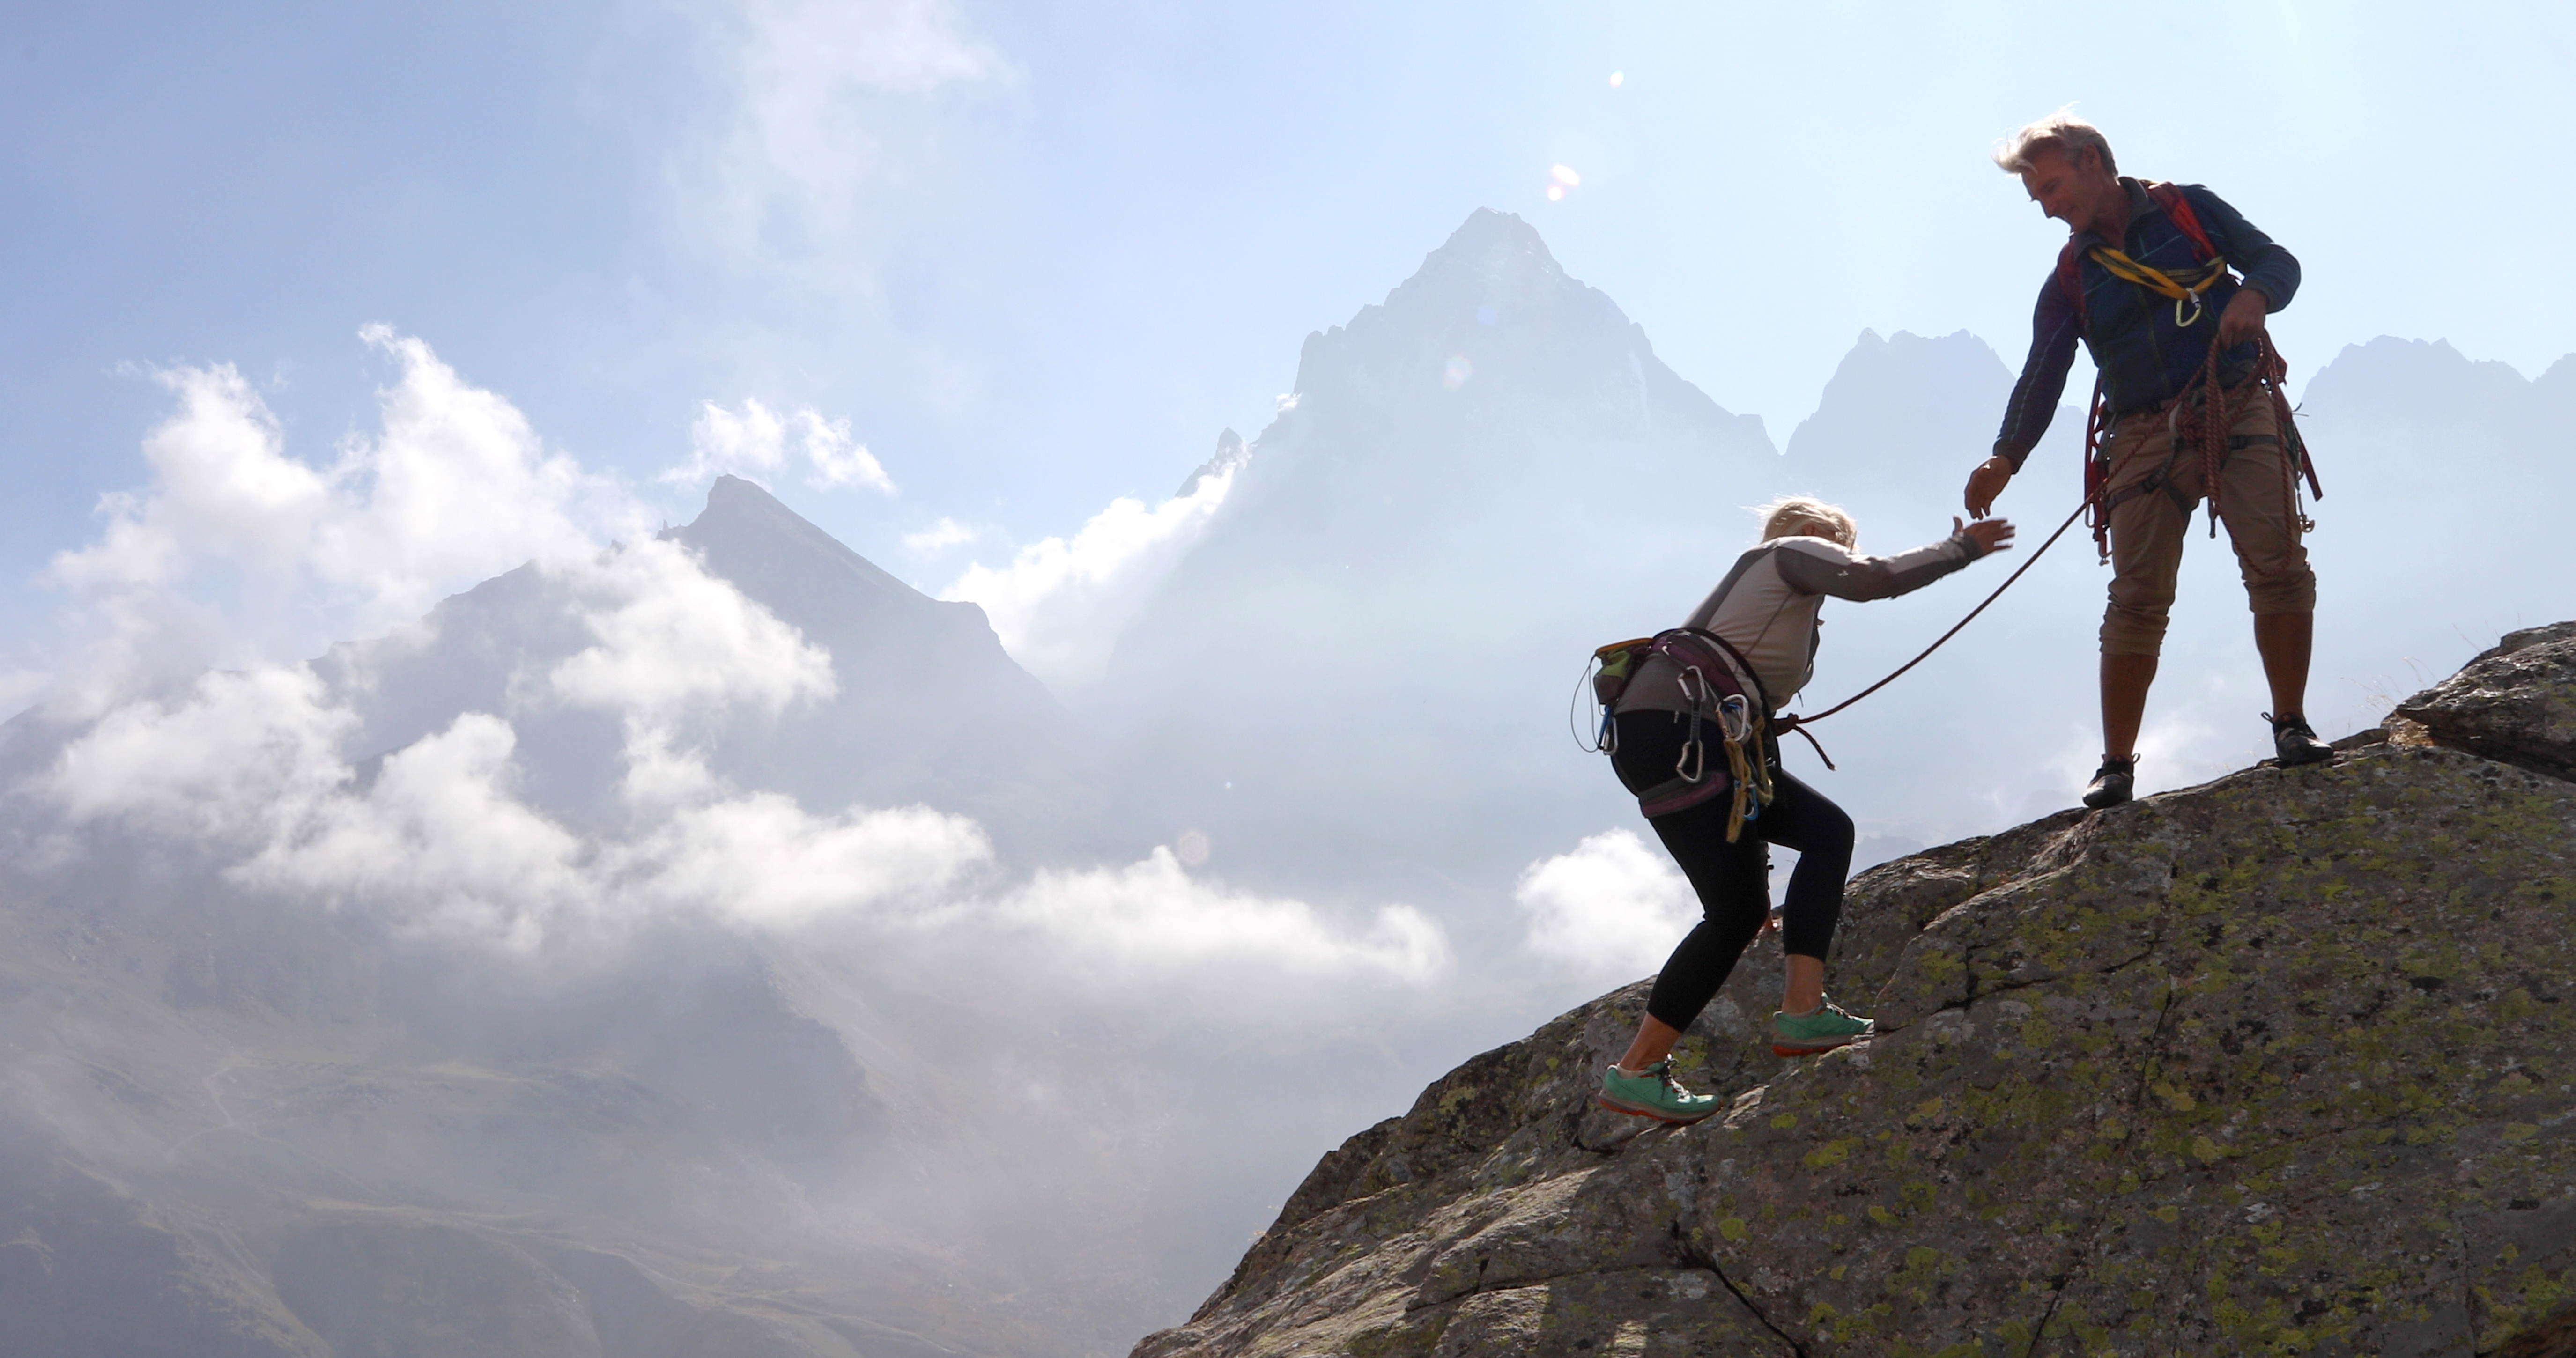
2147 530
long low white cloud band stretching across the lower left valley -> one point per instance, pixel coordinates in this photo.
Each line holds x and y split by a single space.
439 841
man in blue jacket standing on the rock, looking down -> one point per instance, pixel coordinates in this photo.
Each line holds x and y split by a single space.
2145 295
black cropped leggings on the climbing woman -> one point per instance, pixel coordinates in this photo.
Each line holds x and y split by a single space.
1732 880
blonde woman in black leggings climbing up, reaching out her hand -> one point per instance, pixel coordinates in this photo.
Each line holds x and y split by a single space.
1766 609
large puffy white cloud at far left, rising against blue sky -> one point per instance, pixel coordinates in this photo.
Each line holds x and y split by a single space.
238 550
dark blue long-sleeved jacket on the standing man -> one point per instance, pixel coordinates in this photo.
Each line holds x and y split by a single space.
2132 334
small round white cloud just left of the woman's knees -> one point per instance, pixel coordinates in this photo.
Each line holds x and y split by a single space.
1609 911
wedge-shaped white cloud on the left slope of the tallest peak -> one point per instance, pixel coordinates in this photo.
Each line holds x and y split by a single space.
1060 604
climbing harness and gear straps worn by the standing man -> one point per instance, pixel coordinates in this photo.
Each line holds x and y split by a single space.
2183 287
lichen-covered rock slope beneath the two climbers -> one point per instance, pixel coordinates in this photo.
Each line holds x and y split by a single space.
2284 1063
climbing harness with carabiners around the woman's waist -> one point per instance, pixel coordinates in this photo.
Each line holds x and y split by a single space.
1725 700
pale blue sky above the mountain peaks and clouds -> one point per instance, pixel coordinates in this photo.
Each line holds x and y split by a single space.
1037 256
